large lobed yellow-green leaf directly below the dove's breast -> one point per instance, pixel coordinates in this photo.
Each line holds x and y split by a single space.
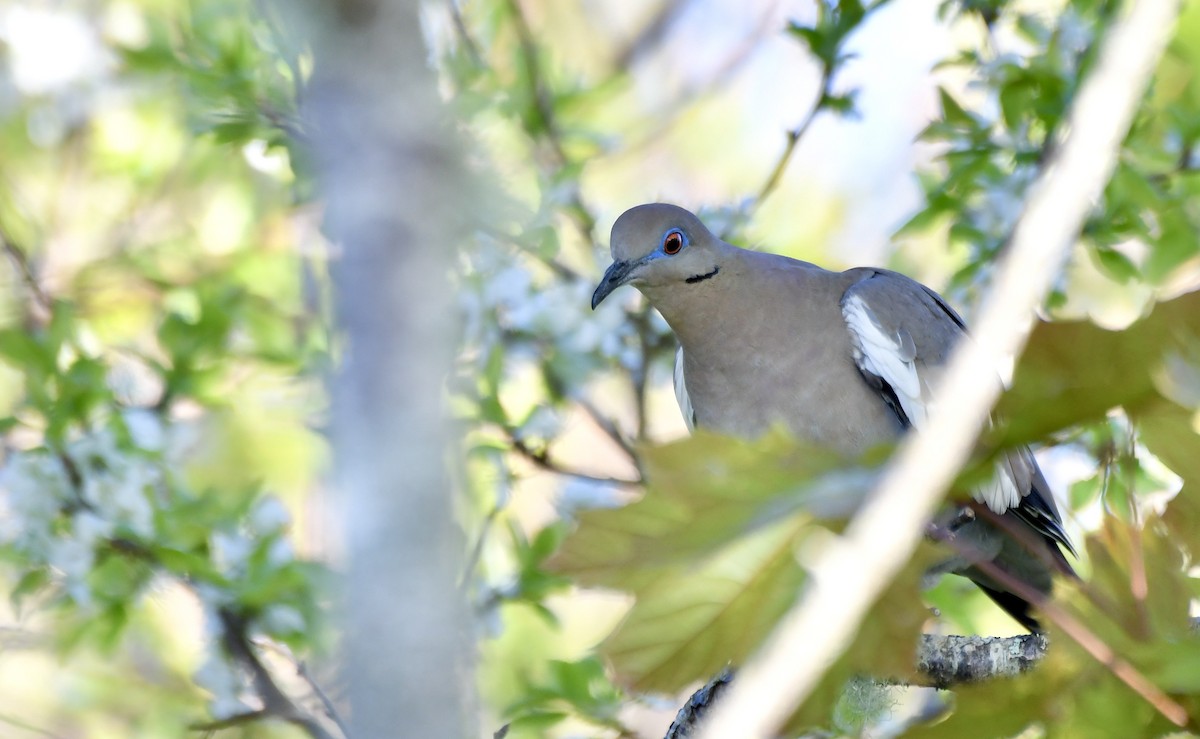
711 556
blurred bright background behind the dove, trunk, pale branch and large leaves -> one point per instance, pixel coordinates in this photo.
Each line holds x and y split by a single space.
166 328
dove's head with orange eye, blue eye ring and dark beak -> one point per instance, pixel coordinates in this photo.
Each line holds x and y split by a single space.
658 247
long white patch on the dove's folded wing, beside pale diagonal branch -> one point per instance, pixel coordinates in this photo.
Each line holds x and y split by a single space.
890 358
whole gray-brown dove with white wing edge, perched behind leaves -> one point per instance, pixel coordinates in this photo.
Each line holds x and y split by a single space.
841 359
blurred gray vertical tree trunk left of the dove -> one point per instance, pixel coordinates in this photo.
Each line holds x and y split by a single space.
393 184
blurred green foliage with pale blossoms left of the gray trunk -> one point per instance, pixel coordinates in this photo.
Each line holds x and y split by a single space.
163 339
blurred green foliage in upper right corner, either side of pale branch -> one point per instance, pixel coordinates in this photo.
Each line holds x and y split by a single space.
1147 227
